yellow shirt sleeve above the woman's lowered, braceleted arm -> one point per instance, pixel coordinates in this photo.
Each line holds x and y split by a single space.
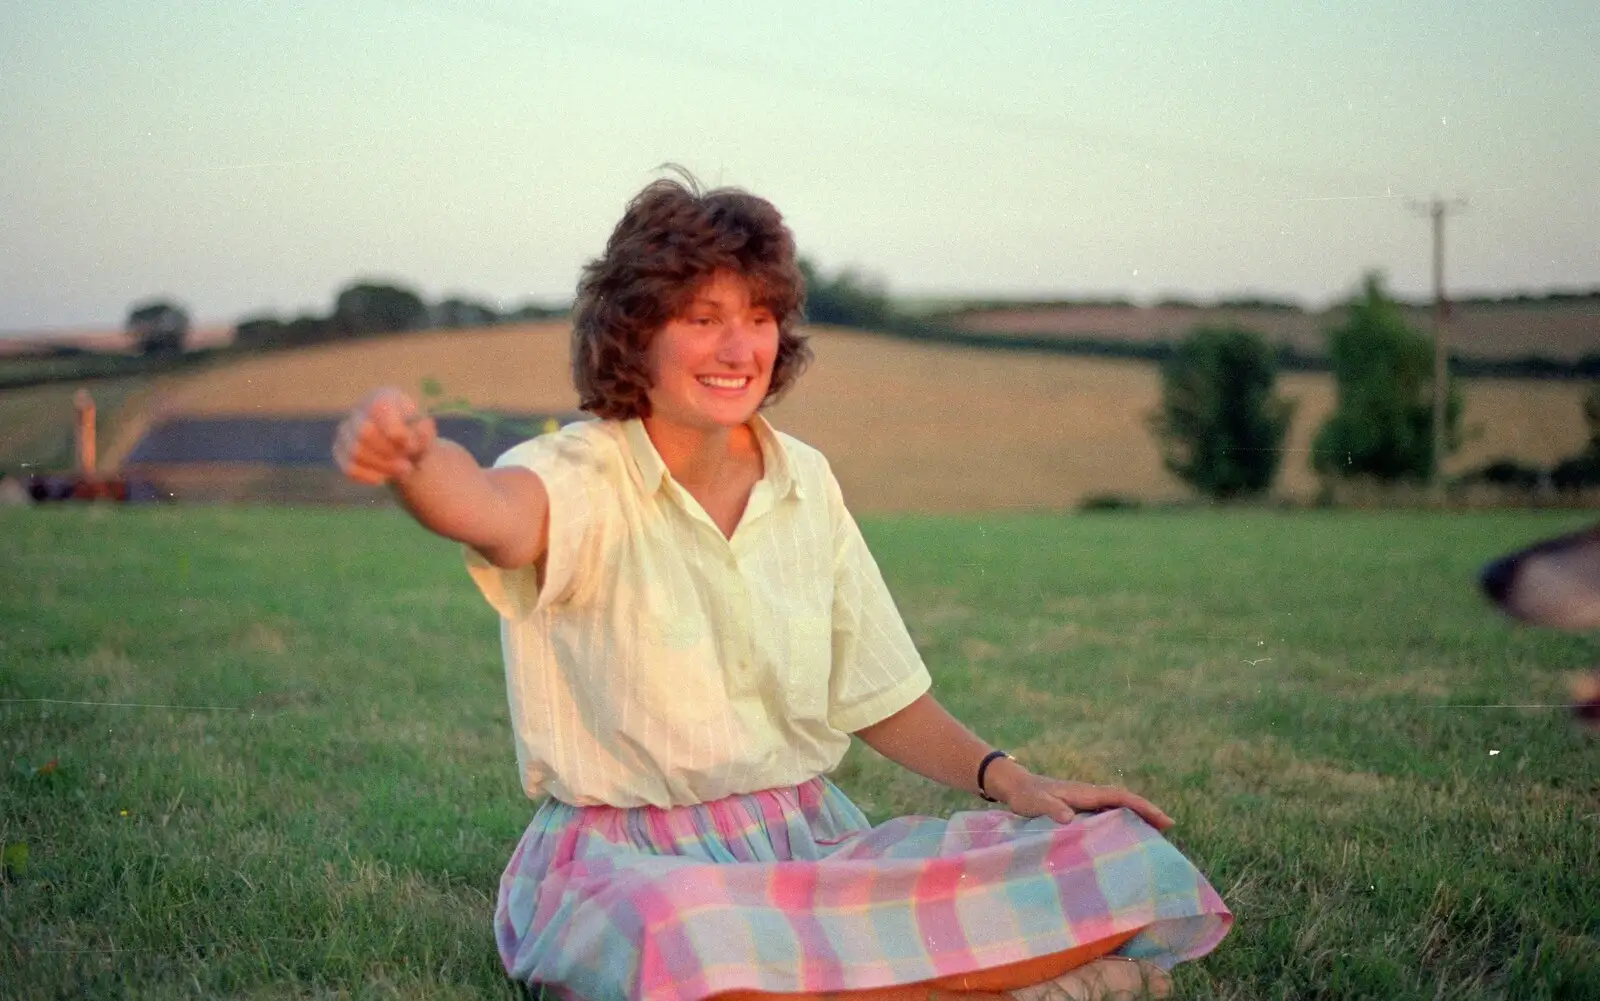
878 669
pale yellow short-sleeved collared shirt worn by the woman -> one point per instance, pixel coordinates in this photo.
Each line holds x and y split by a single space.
652 661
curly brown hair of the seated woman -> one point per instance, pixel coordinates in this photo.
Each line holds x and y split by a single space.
671 241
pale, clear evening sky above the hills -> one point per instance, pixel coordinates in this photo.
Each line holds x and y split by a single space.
254 158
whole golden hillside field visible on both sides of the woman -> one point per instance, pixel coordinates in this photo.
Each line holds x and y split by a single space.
910 428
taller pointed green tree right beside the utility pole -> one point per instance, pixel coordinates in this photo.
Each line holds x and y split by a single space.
1383 420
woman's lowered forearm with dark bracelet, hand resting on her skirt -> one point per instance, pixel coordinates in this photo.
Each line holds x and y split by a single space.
929 741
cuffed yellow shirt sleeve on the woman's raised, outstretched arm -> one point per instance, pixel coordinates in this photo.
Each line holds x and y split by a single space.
572 468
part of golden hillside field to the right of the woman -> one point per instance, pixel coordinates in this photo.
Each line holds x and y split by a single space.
921 428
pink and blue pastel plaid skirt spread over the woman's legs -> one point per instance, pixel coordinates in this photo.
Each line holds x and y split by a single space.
791 890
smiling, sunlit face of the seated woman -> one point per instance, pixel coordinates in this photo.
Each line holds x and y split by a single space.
713 364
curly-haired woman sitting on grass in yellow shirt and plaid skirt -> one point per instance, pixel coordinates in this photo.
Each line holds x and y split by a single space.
694 631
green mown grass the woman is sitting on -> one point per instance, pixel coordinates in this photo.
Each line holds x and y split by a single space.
308 786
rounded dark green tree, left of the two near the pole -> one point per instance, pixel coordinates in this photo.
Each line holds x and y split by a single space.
1222 426
